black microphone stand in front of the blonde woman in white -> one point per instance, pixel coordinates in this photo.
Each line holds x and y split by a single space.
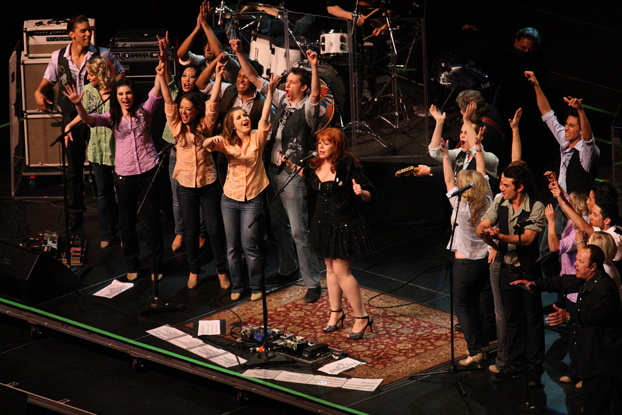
452 368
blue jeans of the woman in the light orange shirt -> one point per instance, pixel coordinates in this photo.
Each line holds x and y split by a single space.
237 216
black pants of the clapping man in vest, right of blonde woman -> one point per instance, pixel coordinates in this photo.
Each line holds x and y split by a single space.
514 299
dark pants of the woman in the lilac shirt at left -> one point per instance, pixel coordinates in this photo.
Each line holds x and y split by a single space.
130 190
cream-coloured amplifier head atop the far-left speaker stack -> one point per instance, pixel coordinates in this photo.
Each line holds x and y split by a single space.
44 36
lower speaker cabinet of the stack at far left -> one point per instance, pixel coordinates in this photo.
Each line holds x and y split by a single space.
39 132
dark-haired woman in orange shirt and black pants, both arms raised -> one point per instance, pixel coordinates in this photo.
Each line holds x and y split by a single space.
198 189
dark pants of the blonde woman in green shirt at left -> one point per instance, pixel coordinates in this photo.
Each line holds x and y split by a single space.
106 204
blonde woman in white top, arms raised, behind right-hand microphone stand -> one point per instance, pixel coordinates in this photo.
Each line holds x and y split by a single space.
470 264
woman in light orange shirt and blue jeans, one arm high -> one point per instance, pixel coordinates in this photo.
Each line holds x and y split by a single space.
241 201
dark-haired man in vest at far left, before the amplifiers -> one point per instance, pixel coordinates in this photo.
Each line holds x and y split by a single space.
68 66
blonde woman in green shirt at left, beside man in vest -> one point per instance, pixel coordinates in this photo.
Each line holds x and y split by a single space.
101 145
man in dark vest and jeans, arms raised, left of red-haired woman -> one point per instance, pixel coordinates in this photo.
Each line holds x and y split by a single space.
291 136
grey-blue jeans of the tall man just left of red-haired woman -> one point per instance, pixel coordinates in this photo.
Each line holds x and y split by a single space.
290 224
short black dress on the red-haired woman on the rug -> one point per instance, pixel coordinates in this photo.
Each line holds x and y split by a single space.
338 230
